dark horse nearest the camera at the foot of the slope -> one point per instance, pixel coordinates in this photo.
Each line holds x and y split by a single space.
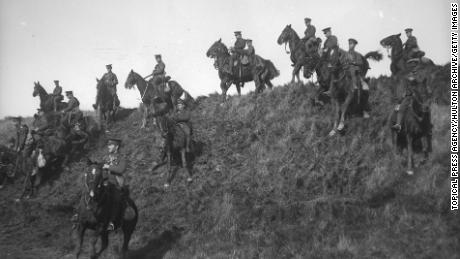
94 213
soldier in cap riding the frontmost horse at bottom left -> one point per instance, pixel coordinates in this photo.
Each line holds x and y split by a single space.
115 167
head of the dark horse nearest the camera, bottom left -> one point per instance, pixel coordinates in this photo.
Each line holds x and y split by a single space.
94 180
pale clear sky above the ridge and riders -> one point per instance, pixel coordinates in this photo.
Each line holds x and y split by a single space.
72 41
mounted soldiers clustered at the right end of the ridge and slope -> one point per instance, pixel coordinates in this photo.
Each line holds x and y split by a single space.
342 77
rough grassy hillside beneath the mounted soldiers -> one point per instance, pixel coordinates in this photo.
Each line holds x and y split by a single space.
269 183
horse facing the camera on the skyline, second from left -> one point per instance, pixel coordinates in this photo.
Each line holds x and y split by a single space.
106 108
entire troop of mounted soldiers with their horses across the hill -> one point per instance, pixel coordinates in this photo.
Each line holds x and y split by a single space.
60 129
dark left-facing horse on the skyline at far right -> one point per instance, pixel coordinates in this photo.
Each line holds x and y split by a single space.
398 57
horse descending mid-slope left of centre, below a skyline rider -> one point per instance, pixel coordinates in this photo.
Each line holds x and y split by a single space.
176 137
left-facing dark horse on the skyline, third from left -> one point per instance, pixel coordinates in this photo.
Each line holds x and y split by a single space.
149 91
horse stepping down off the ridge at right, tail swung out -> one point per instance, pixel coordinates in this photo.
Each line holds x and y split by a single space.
343 91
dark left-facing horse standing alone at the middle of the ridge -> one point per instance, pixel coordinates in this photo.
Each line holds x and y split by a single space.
261 76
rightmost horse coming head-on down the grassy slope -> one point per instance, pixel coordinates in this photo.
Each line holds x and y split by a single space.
416 127
